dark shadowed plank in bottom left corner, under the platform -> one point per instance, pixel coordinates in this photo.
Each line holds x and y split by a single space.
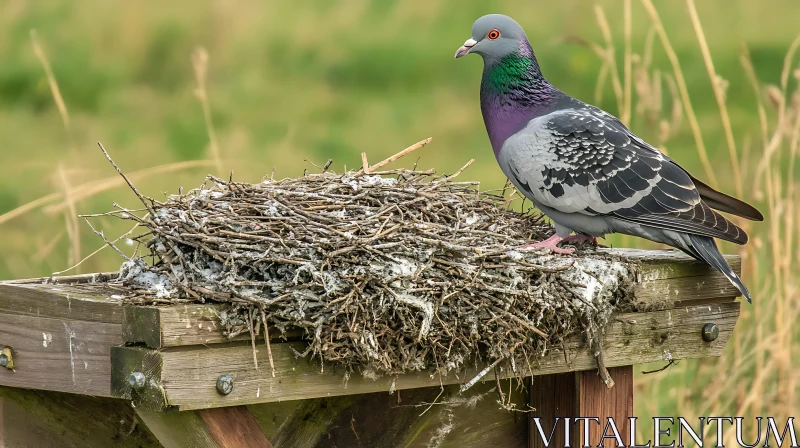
32 418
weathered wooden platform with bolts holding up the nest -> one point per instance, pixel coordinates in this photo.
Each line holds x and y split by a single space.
73 336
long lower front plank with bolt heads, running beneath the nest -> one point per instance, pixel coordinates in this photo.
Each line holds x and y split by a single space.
188 374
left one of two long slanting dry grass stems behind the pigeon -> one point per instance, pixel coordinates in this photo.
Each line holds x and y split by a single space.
684 91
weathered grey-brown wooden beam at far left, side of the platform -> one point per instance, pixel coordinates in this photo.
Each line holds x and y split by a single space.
61 337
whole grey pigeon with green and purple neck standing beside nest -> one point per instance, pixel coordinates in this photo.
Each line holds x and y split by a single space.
583 168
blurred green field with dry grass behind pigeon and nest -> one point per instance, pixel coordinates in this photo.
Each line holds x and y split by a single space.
288 81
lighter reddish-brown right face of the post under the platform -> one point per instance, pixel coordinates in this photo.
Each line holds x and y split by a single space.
596 400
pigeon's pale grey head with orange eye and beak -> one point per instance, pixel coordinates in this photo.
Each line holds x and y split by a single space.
493 37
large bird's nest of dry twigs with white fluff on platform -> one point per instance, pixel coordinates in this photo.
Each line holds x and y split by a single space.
381 271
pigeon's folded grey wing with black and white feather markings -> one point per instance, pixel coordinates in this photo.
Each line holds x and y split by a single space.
586 161
